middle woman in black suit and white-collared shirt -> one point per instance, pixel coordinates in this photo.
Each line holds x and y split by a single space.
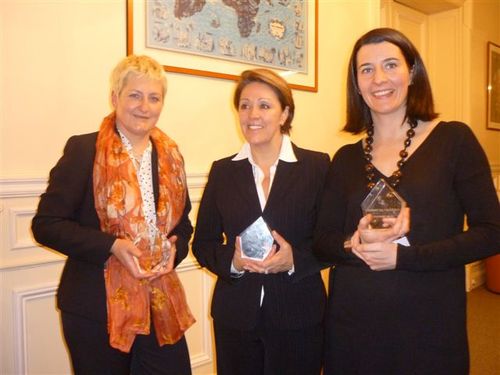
267 313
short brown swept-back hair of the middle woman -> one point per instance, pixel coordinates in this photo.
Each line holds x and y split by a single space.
276 83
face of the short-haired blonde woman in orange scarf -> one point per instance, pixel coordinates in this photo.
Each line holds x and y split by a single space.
138 106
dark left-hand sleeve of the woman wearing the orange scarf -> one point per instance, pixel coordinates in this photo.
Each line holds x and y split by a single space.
66 220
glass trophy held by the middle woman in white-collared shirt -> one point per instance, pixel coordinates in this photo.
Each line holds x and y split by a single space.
256 240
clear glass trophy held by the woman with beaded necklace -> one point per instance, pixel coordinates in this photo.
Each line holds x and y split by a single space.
382 202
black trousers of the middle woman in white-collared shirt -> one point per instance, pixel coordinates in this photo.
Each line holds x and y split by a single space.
269 351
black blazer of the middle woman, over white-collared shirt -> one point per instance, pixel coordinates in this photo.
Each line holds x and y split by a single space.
229 204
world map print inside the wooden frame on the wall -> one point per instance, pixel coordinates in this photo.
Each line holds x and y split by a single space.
271 33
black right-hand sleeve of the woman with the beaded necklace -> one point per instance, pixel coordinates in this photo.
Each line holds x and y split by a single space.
476 197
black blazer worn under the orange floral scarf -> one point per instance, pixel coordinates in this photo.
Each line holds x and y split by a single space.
67 222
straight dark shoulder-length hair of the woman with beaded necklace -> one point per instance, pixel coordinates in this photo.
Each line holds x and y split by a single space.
419 103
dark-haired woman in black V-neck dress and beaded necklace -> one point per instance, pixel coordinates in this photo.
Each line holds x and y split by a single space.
397 294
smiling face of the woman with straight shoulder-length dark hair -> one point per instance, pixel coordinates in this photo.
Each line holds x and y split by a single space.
383 78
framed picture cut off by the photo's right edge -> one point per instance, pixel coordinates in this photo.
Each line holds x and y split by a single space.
493 102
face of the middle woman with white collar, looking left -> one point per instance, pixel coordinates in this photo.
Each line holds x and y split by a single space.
261 115
